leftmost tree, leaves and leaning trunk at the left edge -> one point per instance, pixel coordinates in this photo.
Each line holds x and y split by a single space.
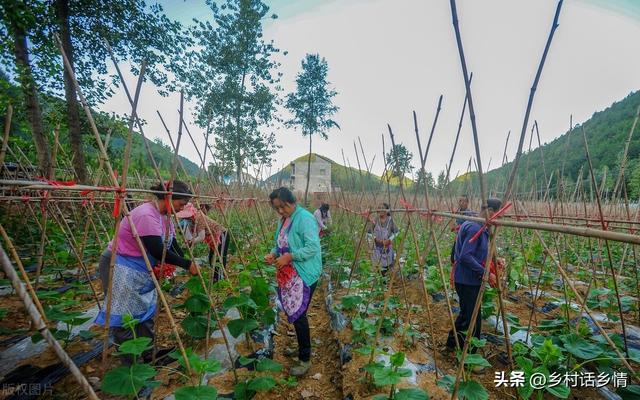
19 22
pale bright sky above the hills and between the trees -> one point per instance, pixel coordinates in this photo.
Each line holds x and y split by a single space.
388 58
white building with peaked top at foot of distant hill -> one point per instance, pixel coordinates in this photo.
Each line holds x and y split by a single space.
320 178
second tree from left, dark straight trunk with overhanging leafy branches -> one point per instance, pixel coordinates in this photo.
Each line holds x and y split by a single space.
134 31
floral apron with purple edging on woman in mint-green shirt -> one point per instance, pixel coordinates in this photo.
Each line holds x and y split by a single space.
293 293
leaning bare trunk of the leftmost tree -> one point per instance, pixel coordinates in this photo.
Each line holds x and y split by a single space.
30 92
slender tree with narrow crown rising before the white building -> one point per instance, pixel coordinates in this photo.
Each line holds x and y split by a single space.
311 104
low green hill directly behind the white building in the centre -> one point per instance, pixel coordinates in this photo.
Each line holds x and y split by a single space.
347 178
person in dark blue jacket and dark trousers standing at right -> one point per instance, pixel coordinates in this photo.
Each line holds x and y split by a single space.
470 258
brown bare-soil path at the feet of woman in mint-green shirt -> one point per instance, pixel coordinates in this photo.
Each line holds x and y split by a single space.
324 379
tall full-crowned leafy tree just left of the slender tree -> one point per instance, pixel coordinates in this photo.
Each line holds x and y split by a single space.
230 72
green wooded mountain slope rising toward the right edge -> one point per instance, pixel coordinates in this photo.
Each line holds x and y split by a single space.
606 133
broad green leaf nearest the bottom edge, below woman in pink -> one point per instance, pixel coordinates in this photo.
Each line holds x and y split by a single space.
127 381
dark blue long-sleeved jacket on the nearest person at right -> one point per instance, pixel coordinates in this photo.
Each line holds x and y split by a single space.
470 257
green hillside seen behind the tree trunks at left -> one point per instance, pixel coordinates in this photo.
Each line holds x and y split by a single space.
53 115
